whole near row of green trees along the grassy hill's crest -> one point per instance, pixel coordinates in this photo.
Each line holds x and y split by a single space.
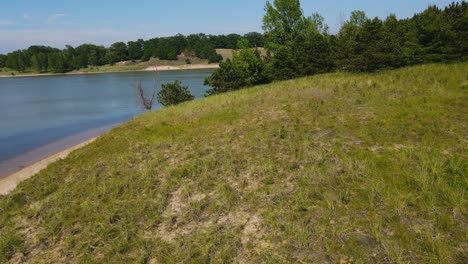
299 45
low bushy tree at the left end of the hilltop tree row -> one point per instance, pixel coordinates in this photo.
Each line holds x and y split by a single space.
245 69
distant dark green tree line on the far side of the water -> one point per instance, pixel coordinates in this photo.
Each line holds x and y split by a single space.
48 59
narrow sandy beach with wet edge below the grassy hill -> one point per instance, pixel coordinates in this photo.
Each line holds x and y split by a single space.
20 168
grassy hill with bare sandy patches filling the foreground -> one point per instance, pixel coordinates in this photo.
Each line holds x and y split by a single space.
339 167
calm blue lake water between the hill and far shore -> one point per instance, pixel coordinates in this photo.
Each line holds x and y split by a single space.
35 111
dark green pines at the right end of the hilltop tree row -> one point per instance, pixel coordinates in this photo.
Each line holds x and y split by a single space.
434 35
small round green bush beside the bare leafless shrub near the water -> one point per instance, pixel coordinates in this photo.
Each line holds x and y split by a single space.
174 93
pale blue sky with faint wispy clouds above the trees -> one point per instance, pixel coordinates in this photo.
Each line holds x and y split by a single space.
57 23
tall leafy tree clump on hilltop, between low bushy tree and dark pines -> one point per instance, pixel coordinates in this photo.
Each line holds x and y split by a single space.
298 45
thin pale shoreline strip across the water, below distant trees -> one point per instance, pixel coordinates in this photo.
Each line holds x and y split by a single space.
148 69
